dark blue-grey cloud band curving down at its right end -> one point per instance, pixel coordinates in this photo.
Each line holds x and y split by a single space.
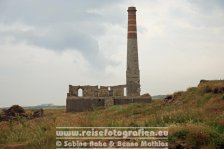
60 39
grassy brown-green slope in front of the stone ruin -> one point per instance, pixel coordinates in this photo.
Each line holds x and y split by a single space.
195 119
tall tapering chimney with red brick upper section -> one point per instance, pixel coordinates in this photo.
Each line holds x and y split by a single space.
132 73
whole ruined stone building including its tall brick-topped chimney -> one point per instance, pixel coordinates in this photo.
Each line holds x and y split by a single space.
95 96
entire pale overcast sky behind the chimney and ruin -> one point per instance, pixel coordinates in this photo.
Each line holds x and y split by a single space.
47 45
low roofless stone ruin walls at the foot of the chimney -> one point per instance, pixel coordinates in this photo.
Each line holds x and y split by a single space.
94 96
